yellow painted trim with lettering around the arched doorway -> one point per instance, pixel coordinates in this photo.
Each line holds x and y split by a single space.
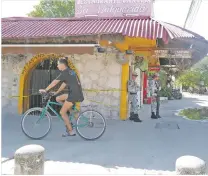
27 69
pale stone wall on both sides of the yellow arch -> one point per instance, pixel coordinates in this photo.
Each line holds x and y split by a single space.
98 71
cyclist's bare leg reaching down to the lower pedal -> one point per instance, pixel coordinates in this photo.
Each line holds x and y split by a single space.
65 108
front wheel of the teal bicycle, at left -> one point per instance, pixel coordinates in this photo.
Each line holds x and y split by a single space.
35 124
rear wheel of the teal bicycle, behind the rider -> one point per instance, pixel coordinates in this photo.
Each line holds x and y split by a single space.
91 125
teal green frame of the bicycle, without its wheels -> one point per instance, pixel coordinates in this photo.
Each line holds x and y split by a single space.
48 106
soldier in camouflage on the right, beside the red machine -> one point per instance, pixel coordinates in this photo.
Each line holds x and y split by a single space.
155 104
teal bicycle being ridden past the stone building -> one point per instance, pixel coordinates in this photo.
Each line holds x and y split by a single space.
45 117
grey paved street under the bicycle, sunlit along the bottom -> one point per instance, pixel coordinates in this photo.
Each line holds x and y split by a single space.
126 147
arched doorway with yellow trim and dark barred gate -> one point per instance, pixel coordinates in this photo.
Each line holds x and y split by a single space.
37 74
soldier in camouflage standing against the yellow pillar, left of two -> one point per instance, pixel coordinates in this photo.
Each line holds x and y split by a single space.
133 90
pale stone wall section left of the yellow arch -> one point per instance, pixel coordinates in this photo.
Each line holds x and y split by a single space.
12 65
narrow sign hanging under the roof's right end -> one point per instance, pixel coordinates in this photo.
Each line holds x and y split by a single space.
173 54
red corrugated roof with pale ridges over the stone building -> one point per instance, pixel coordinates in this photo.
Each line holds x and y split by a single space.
24 28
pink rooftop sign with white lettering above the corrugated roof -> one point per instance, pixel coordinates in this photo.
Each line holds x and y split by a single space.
113 8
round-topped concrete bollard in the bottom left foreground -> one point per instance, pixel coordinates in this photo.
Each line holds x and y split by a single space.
29 160
